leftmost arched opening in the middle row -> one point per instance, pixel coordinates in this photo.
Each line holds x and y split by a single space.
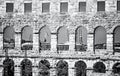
8 38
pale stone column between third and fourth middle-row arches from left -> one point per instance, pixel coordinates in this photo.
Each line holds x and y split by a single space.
53 43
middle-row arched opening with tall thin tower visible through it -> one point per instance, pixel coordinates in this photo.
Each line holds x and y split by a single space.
81 39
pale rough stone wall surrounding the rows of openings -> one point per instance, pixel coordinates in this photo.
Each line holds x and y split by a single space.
72 20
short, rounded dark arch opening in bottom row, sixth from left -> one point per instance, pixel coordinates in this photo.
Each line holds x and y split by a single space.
99 67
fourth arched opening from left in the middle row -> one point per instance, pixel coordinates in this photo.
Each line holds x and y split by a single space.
62 38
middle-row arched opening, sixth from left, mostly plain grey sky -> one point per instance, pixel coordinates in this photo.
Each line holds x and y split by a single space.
100 38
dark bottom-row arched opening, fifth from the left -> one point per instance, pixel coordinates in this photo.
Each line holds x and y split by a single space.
80 67
